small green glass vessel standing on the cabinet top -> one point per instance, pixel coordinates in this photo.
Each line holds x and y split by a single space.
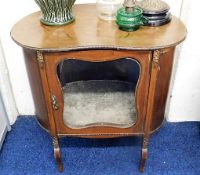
130 21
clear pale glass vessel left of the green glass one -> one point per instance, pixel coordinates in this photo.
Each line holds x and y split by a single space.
107 8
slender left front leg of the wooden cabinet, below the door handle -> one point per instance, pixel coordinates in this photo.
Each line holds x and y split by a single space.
57 154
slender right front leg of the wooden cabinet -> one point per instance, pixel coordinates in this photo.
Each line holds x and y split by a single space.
144 153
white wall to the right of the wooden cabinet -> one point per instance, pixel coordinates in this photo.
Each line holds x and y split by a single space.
185 101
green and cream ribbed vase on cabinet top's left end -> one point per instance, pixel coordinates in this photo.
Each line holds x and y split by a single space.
56 12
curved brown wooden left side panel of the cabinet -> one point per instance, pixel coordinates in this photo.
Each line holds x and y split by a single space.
36 87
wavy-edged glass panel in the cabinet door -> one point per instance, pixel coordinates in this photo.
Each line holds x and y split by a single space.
100 93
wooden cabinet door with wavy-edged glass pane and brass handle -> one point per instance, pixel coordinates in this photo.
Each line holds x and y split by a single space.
88 110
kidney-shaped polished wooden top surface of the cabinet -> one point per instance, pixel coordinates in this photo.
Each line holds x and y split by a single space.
88 31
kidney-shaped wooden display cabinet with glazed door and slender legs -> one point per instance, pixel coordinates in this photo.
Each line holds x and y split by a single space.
89 79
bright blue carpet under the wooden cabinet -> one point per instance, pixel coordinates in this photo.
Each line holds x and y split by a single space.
174 150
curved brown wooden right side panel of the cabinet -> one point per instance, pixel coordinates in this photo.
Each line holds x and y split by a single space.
162 86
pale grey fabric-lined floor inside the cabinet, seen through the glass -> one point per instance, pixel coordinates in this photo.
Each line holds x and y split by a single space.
99 103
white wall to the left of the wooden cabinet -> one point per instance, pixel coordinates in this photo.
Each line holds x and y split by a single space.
10 13
